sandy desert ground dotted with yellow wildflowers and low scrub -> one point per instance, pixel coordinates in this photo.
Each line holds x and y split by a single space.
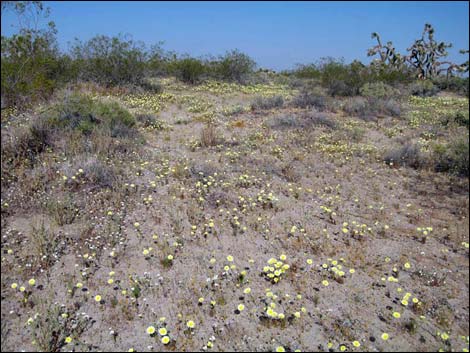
176 217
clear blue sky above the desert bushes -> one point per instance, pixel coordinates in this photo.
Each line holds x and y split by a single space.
276 34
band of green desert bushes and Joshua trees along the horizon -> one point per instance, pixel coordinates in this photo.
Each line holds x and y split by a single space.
32 66
